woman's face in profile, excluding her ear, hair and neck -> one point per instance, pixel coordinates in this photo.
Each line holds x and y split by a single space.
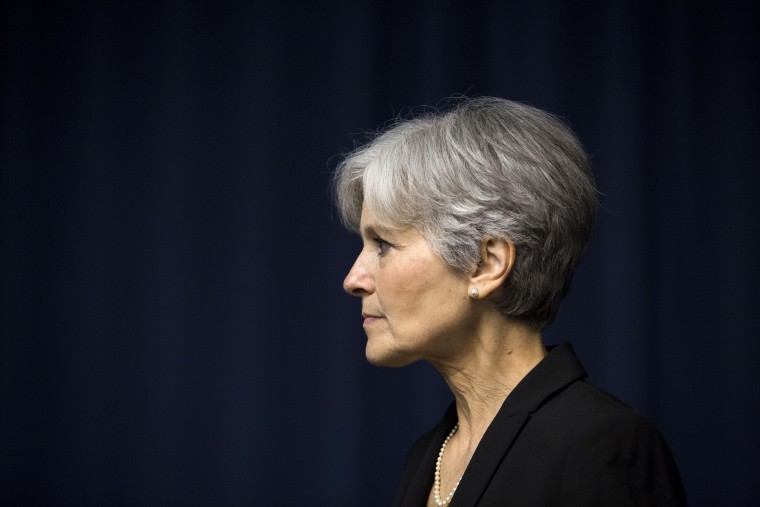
414 305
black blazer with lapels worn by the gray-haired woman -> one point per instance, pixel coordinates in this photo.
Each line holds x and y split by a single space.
555 441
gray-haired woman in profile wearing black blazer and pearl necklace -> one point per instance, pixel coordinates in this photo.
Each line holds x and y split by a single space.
472 223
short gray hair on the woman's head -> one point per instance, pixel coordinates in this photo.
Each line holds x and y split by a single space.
488 166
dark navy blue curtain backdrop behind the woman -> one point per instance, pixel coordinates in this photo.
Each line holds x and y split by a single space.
174 330
